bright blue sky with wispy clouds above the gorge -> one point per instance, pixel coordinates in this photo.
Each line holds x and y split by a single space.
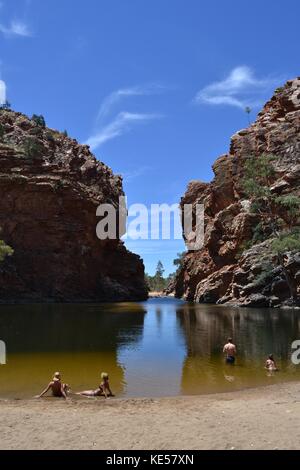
157 87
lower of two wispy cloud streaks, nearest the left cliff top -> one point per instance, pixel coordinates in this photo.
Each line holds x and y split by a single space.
121 124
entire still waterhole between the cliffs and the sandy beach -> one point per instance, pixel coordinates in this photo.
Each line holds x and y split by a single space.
162 347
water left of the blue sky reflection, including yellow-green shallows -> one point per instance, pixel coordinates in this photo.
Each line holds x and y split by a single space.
79 340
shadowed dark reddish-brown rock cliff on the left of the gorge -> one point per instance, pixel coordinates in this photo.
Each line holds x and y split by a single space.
50 188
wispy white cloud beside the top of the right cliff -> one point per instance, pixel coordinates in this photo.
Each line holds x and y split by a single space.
240 89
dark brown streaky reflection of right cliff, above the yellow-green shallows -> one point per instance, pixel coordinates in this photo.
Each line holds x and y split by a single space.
255 331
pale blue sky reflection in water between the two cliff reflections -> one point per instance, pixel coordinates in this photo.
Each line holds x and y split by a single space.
153 368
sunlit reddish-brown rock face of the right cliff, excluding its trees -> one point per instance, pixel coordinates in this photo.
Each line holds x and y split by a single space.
223 271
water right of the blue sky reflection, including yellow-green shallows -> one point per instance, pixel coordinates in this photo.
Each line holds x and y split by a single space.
256 333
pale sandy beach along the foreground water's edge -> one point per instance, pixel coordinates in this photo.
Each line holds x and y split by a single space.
263 418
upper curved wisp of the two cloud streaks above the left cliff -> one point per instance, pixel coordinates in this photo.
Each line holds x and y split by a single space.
115 97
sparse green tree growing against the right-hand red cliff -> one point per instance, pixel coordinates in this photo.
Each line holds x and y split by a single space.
279 215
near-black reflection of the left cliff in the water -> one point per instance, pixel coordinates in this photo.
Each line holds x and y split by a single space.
70 328
